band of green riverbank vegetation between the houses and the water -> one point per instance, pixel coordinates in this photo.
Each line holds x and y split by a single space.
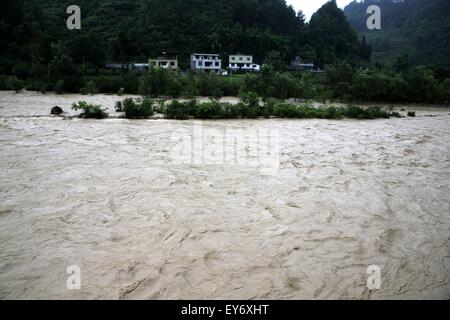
340 82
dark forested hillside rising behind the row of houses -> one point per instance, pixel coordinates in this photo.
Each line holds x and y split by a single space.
134 30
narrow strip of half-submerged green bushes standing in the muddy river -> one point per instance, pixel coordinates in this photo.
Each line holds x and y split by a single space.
250 106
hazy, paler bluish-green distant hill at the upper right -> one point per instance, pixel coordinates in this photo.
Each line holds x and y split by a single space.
418 28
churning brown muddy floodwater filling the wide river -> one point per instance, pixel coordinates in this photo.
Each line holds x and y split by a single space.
109 197
